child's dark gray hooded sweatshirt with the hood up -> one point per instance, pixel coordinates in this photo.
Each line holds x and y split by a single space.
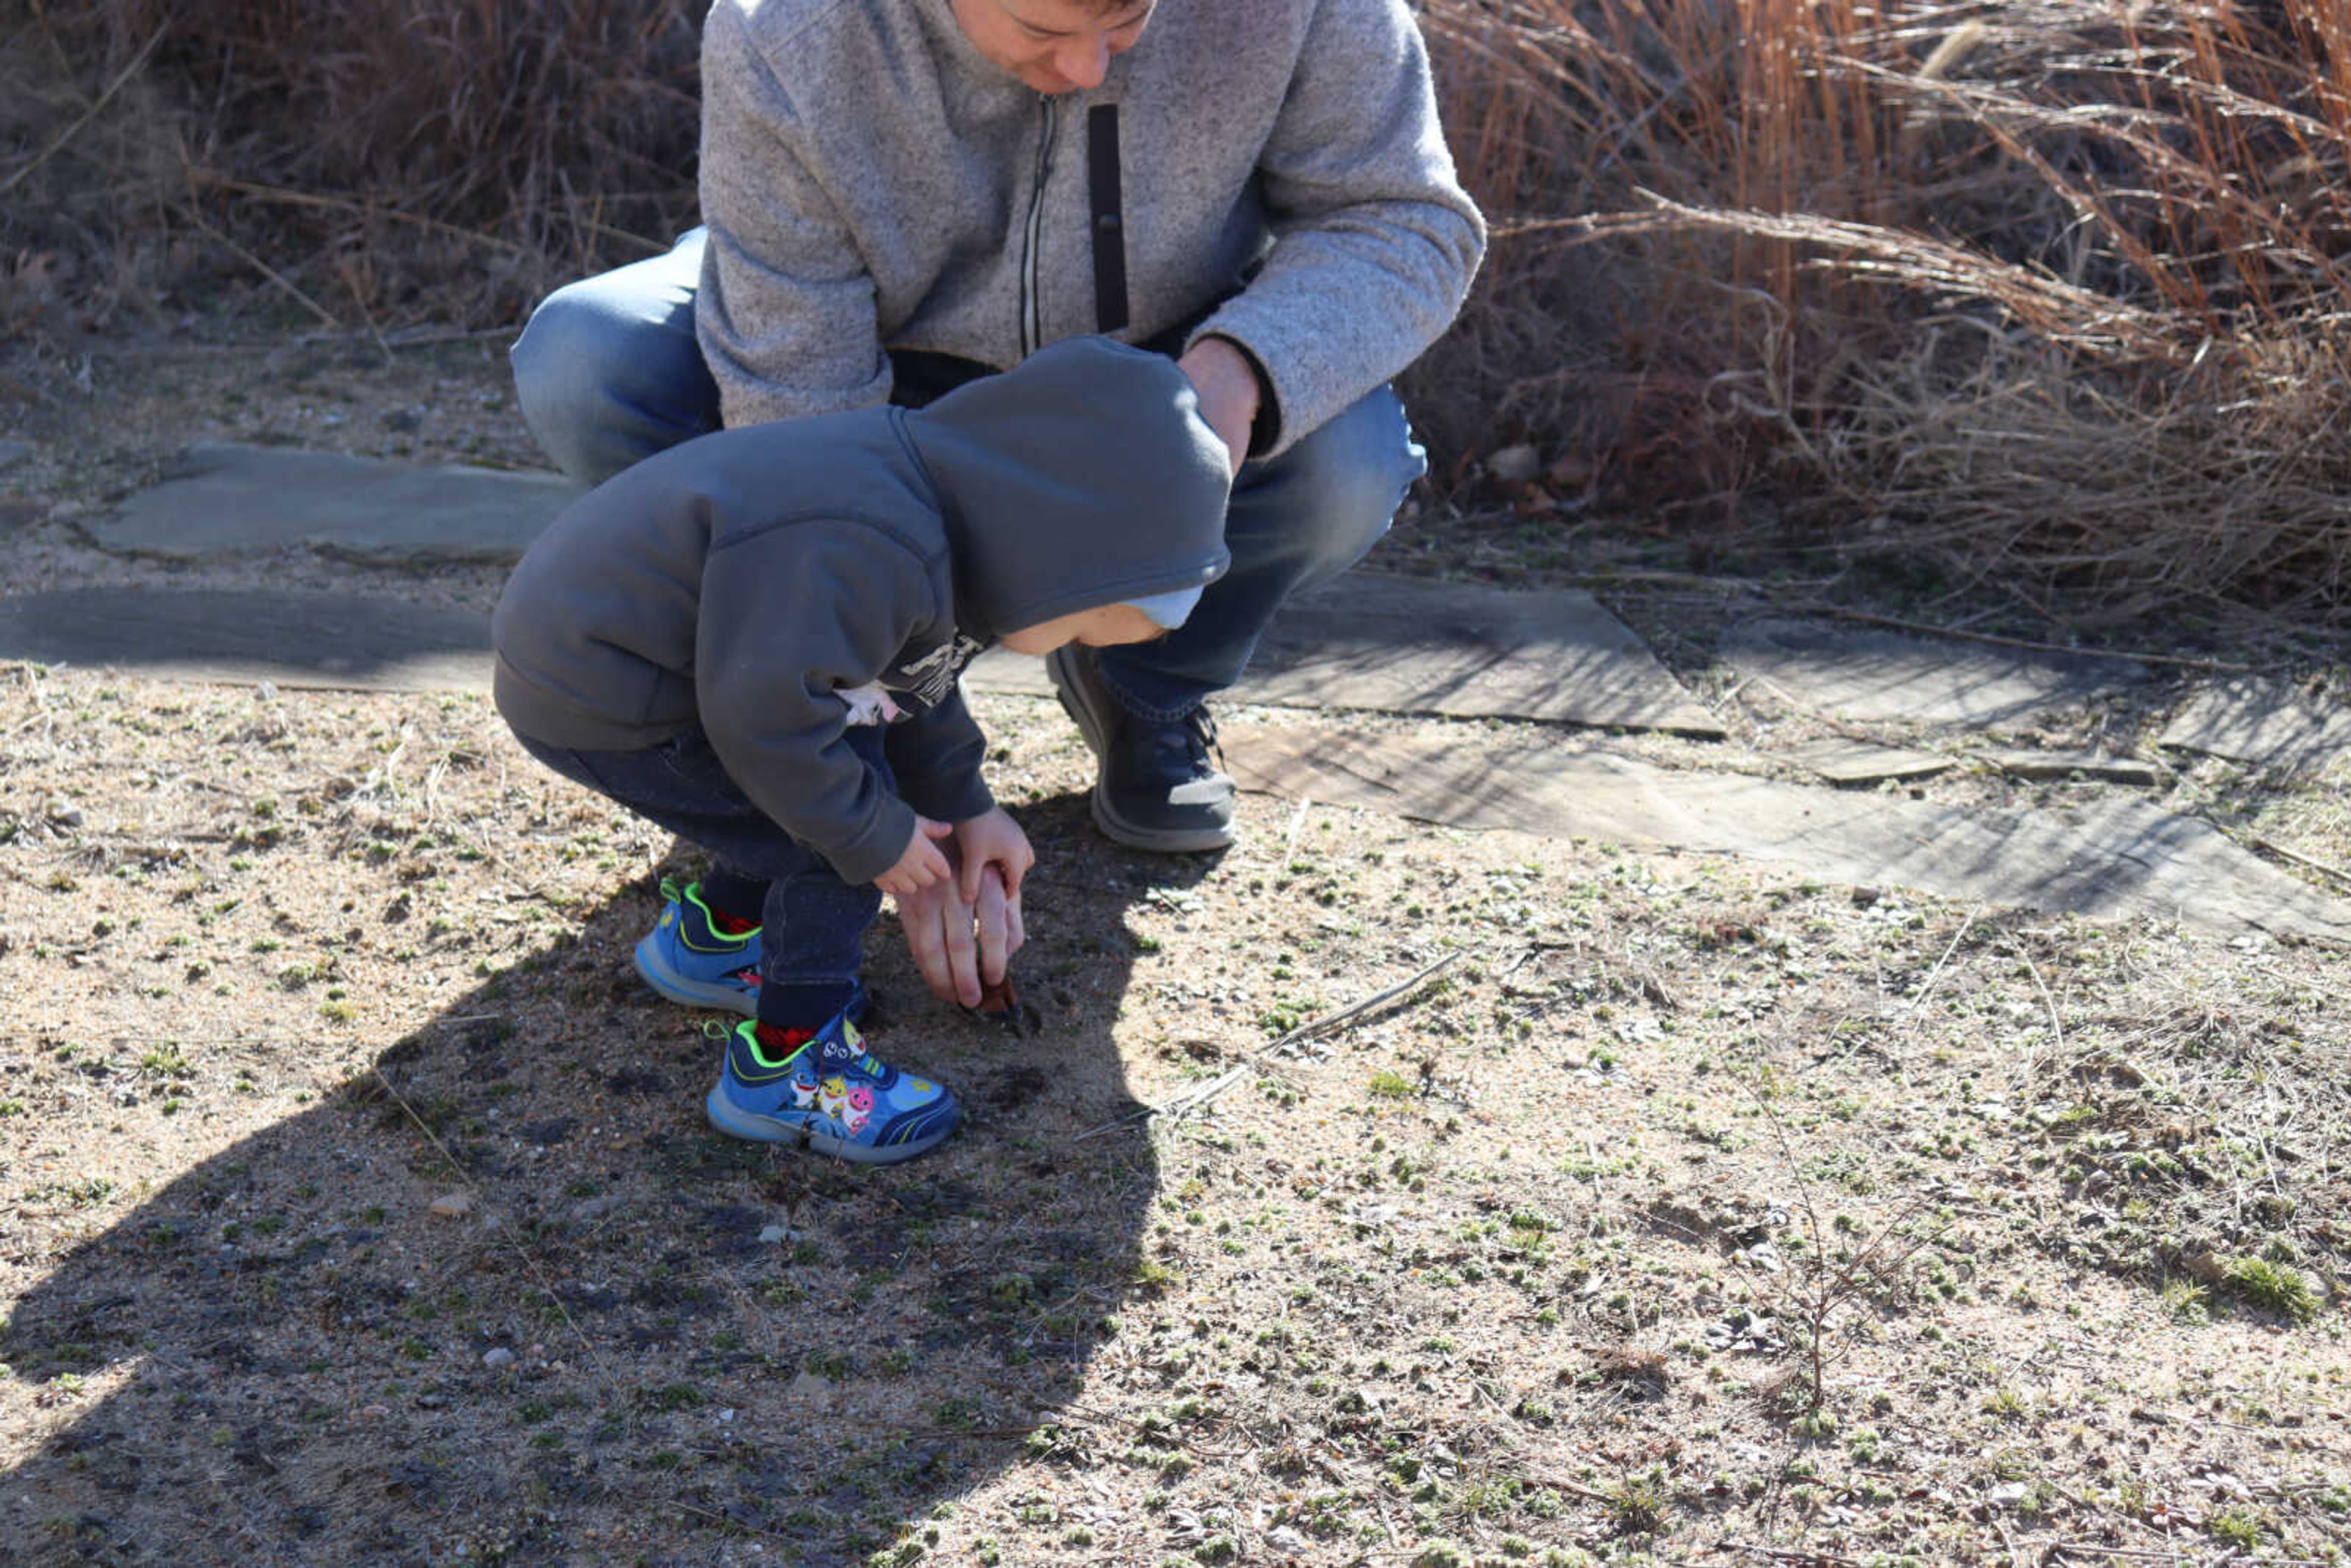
763 582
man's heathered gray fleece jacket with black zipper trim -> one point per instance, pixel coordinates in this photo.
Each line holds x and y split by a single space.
873 182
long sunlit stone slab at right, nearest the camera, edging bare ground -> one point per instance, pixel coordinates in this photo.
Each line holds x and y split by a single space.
2119 857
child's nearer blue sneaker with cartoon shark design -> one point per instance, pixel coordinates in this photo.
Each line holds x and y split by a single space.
829 1094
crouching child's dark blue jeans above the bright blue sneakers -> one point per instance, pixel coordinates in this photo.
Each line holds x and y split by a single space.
815 923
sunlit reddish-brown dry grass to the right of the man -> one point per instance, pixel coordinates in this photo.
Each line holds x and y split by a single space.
2051 290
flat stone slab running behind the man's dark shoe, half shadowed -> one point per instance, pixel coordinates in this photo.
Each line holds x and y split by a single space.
1407 645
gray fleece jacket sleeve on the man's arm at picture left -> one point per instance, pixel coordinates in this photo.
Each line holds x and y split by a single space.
786 307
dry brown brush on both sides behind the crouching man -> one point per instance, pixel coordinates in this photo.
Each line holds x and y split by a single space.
2056 293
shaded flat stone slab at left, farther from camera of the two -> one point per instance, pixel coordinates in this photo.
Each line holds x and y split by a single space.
229 500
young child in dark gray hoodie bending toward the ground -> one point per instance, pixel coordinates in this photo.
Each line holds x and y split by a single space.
753 641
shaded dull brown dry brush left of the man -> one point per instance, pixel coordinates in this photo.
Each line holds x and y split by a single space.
368 163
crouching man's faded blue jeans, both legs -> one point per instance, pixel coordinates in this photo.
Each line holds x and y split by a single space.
610 373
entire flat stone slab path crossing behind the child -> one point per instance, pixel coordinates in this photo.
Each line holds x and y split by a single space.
1534 662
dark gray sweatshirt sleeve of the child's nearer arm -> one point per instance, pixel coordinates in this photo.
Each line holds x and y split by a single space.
770 666
